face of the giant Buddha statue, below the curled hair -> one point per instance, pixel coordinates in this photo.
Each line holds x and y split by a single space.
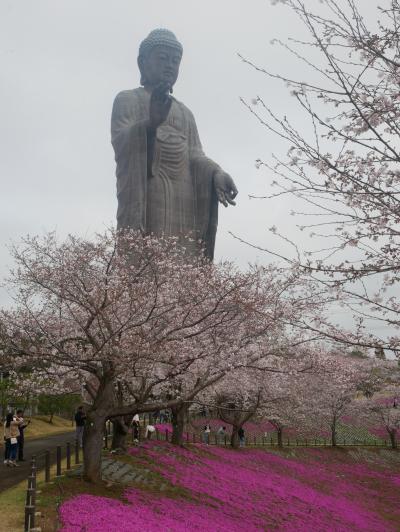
160 65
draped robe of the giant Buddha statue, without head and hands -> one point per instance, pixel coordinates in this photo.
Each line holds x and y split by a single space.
176 196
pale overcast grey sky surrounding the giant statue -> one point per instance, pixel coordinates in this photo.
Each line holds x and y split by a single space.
63 62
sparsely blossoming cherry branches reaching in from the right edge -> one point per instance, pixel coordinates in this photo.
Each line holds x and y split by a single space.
342 162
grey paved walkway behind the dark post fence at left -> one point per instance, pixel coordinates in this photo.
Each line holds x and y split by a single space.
9 476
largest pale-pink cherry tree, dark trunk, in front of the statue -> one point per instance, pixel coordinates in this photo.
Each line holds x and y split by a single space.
136 323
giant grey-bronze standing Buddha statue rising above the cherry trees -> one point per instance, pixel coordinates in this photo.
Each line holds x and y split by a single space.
165 183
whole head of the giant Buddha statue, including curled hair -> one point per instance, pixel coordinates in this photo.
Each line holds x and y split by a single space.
159 59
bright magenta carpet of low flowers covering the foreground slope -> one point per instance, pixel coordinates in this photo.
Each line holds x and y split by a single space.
218 489
